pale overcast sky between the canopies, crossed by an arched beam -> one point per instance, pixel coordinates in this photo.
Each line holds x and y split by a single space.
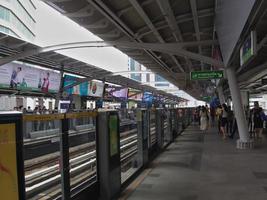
54 28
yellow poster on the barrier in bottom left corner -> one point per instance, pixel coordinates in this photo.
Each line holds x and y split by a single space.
8 162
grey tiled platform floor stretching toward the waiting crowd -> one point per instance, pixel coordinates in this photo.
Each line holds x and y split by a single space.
201 166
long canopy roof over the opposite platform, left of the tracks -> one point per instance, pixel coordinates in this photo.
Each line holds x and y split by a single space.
10 46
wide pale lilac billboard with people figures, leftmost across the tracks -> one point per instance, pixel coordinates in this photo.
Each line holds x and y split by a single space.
23 77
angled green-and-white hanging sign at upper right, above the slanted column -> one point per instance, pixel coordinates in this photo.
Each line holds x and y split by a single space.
248 49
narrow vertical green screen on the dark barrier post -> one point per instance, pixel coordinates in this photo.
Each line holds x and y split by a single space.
113 133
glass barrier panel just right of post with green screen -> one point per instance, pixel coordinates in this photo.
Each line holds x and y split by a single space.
128 144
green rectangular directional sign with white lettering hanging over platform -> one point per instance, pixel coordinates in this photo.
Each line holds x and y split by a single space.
206 75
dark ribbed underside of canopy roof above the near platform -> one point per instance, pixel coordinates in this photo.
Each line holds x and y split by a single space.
157 22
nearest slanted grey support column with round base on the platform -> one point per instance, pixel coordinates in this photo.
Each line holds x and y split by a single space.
244 141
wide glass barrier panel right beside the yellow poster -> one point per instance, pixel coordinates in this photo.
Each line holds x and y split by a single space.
42 158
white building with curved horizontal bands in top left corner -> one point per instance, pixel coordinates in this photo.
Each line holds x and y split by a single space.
17 18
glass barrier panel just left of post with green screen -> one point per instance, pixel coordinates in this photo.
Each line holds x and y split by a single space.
82 151
